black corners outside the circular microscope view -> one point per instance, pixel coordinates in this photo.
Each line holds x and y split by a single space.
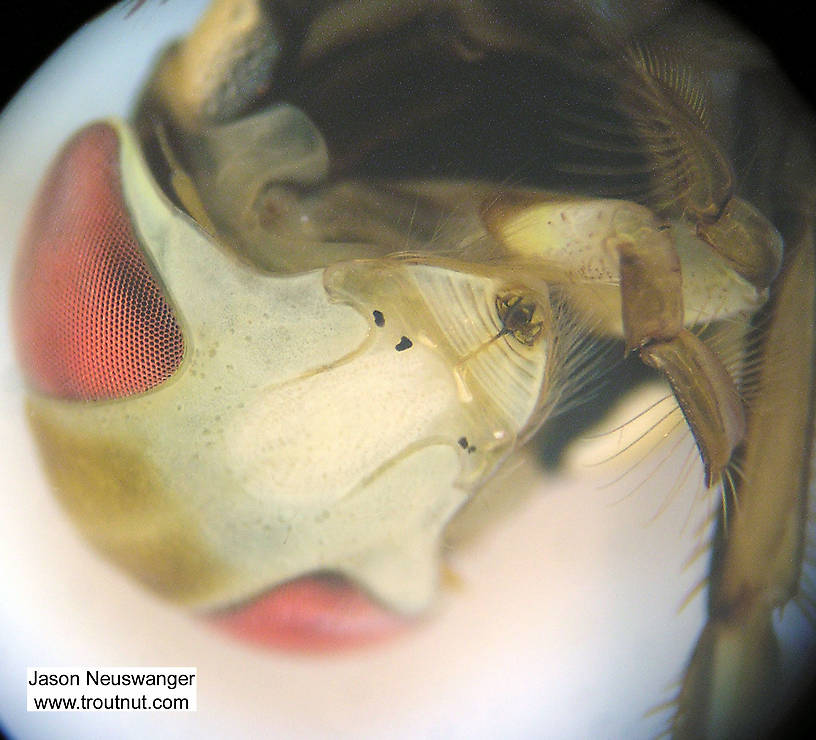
32 31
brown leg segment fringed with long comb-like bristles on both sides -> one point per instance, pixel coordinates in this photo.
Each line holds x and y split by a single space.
643 132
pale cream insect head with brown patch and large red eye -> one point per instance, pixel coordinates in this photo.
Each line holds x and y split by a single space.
202 420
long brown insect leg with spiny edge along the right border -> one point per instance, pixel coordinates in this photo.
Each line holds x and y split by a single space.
733 670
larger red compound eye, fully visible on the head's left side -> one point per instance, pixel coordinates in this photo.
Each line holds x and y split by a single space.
90 321
